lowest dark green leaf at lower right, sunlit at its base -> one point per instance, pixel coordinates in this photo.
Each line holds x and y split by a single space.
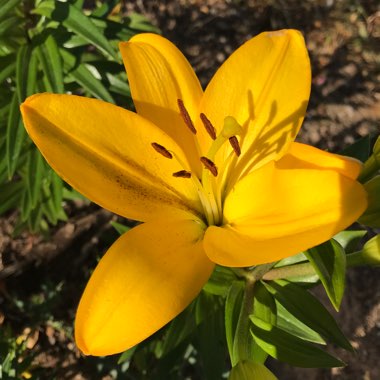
290 349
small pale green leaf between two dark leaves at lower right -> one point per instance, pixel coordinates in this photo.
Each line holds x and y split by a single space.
289 323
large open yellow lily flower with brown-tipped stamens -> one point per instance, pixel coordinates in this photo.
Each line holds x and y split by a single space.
215 176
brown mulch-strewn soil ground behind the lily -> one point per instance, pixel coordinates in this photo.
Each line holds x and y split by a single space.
343 38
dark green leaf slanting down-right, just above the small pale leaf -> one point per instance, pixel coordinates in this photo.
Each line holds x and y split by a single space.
305 307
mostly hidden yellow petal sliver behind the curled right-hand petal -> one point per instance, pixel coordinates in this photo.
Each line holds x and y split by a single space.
300 155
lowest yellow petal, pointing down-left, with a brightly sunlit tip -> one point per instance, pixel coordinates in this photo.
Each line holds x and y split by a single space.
147 277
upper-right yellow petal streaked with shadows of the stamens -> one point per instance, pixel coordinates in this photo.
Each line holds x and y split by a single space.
265 85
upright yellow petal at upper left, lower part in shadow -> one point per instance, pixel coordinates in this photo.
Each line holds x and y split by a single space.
159 75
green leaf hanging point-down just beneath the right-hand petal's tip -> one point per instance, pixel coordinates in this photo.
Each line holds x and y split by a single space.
329 262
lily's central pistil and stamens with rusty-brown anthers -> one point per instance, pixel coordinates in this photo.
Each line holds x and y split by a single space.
210 184
